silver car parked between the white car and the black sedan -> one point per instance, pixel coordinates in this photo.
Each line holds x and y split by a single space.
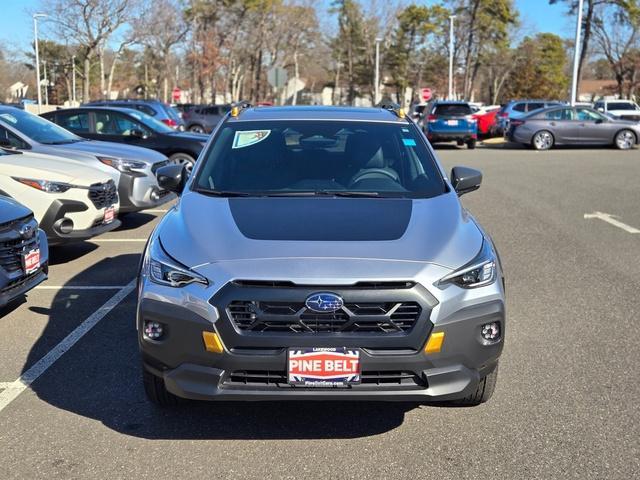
132 168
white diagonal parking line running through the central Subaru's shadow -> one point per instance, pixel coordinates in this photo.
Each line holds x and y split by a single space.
13 389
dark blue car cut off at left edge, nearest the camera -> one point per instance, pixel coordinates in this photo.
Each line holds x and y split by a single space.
24 252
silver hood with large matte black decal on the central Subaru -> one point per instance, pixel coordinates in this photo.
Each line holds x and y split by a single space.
202 230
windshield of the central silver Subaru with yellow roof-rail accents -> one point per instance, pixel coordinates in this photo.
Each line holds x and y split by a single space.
296 158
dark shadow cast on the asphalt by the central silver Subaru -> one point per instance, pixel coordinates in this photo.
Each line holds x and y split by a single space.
100 378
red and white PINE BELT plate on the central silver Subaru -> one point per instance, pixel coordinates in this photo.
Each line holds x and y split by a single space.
323 367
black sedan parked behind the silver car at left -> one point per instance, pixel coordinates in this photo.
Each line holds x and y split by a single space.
132 127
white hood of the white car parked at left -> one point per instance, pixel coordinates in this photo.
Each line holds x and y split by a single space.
48 167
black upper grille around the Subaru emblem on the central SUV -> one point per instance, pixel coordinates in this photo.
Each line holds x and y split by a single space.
295 317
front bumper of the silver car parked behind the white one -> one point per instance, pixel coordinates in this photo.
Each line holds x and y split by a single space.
139 191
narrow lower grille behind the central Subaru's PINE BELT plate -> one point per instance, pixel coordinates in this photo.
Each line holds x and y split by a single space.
278 379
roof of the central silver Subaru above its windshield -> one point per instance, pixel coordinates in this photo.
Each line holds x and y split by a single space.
318 113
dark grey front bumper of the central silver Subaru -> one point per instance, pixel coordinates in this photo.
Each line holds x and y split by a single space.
189 371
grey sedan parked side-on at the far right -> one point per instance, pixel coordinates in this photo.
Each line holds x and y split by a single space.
572 126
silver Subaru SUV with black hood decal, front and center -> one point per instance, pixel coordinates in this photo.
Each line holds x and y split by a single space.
320 253
